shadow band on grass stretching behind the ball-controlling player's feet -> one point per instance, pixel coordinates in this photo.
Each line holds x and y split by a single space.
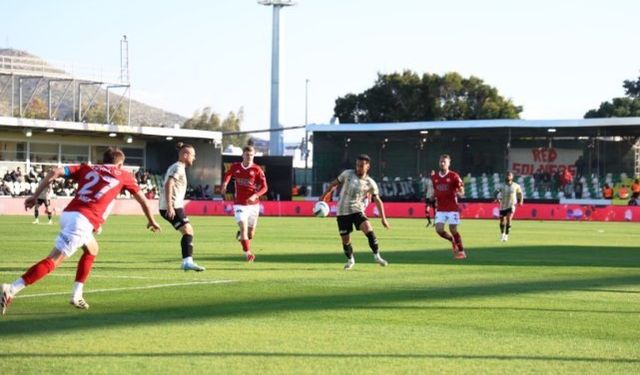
553 255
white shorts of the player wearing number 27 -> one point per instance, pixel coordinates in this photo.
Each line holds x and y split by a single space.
75 231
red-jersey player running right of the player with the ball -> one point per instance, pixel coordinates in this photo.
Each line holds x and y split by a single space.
447 186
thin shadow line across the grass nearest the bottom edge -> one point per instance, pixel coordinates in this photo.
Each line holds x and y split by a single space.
402 356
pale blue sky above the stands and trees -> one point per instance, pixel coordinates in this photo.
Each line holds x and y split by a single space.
555 58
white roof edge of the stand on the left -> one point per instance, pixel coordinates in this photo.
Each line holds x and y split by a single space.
150 132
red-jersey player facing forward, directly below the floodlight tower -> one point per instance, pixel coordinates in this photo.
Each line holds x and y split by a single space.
250 185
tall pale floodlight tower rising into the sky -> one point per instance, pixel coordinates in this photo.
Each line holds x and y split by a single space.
276 143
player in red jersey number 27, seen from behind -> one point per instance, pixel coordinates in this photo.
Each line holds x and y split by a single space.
98 186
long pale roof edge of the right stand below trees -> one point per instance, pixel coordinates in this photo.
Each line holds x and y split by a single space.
477 124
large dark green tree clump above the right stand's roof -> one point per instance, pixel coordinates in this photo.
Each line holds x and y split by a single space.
408 97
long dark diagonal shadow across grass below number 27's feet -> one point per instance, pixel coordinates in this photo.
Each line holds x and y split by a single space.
252 306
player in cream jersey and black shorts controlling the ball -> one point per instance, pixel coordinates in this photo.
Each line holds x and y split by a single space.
355 186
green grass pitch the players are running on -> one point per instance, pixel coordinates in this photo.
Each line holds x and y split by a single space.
559 297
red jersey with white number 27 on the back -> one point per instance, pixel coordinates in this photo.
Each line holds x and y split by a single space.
98 186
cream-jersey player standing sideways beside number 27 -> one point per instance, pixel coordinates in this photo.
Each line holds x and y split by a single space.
171 203
